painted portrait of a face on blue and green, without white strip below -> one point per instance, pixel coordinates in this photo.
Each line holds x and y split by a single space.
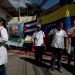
15 30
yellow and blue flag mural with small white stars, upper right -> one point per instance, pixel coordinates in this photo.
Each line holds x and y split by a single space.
65 14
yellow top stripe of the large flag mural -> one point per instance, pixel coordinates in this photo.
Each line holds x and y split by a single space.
65 11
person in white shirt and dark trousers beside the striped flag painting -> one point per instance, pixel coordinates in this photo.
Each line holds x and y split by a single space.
38 40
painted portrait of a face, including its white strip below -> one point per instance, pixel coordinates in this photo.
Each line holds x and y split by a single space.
15 31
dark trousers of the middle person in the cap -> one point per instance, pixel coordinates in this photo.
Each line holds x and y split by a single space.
38 53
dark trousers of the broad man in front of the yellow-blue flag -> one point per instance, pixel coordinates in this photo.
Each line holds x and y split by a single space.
56 56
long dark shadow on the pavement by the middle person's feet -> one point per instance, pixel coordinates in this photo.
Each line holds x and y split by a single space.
43 66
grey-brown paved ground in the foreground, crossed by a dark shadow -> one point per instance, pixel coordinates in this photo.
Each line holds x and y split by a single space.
26 66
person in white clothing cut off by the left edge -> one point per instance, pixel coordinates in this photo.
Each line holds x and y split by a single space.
3 50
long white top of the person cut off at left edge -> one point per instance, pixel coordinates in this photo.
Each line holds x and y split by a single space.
3 50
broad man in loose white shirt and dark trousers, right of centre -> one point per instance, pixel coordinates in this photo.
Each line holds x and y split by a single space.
58 45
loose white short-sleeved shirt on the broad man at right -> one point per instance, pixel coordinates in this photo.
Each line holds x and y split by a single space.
58 39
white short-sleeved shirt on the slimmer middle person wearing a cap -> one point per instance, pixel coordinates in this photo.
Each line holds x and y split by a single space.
38 36
